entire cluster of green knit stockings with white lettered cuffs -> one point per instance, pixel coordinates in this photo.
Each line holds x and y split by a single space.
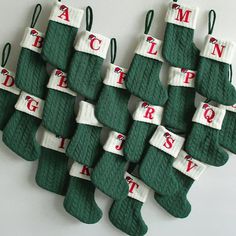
164 145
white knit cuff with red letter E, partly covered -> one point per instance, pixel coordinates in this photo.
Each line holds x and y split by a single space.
58 81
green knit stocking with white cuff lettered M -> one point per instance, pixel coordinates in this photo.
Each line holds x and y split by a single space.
178 48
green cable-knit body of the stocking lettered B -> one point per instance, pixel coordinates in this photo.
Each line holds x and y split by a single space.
31 74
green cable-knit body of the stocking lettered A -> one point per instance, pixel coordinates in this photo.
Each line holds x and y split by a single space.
58 44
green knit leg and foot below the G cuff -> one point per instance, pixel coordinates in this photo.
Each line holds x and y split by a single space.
19 135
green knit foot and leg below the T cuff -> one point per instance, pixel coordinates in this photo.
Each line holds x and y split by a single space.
126 216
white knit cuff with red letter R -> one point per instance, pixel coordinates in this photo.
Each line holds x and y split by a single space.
148 113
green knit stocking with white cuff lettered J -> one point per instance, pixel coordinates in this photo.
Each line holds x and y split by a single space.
108 174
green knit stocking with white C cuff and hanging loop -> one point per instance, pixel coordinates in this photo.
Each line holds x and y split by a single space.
84 71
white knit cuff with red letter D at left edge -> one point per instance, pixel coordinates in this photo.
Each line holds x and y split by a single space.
7 81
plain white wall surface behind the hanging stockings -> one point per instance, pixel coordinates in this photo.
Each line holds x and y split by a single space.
27 210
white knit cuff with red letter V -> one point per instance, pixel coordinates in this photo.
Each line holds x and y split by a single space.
189 166
